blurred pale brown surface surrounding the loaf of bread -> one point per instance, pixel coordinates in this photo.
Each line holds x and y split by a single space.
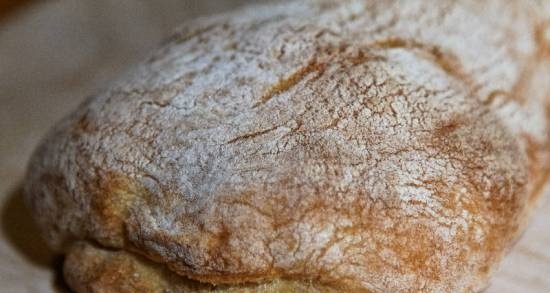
54 53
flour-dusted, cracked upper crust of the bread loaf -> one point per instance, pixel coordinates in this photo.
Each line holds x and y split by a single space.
374 146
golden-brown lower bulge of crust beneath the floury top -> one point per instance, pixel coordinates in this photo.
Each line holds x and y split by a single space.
90 269
